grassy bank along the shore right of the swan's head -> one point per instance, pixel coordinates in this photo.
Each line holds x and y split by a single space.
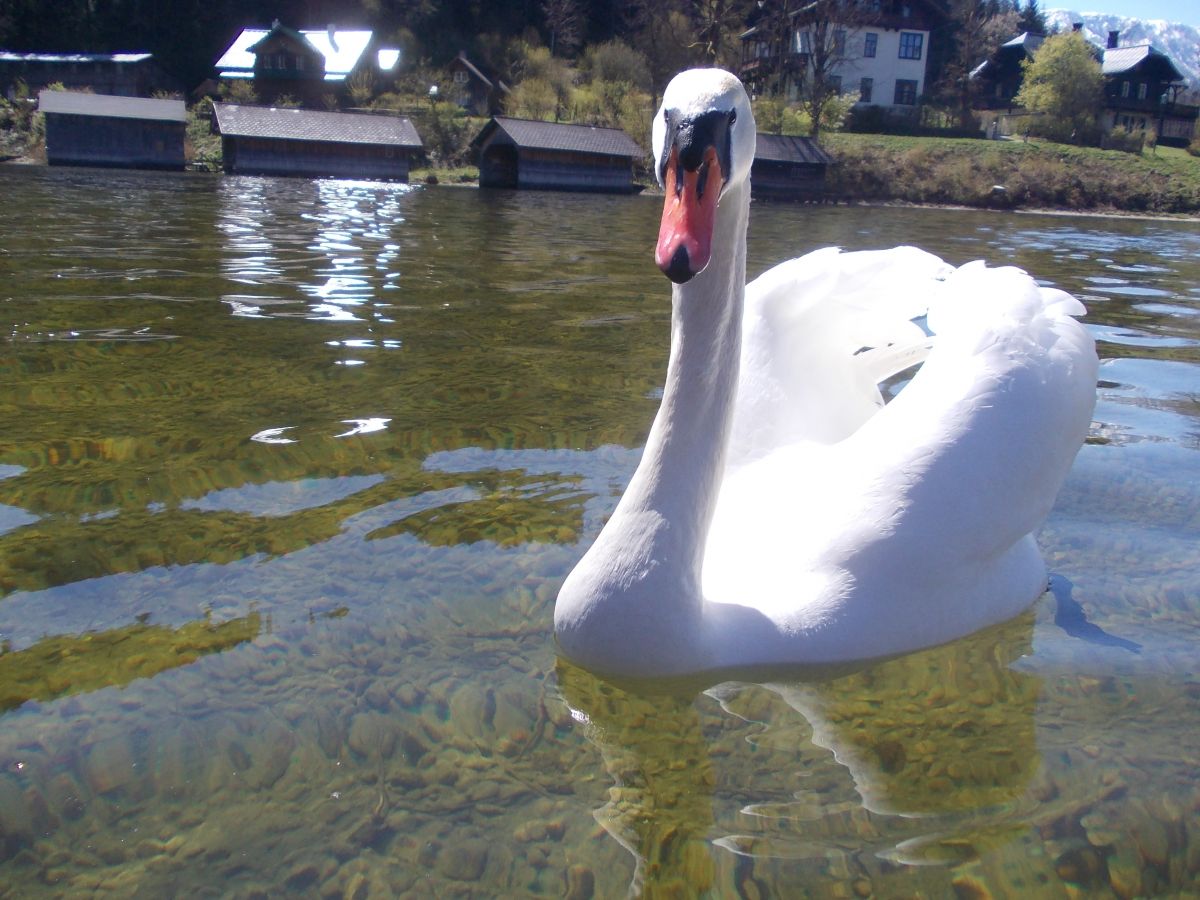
1035 175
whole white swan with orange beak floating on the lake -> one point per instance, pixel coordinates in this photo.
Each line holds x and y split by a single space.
782 514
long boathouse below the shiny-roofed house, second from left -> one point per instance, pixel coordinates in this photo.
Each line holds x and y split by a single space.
271 141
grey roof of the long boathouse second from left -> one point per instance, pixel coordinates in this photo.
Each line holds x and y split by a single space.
244 122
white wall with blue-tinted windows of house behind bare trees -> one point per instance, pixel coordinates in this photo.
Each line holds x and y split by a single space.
886 69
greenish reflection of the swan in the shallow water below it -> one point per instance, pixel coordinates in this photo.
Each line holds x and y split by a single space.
920 760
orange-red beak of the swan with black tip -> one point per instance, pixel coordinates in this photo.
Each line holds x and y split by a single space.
686 237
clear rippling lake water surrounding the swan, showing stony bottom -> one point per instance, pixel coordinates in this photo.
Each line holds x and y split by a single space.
291 472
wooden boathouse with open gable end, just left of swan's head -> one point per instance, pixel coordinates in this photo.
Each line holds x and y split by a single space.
524 154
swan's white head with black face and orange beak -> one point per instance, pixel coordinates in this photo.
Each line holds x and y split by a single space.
704 143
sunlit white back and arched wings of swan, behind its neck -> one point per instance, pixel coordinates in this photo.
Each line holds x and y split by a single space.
901 526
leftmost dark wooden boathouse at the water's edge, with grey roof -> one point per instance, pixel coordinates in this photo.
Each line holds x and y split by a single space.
105 130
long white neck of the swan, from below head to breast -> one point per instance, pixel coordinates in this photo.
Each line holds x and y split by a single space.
638 591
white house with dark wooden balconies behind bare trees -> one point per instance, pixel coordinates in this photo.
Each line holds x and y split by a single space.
880 55
